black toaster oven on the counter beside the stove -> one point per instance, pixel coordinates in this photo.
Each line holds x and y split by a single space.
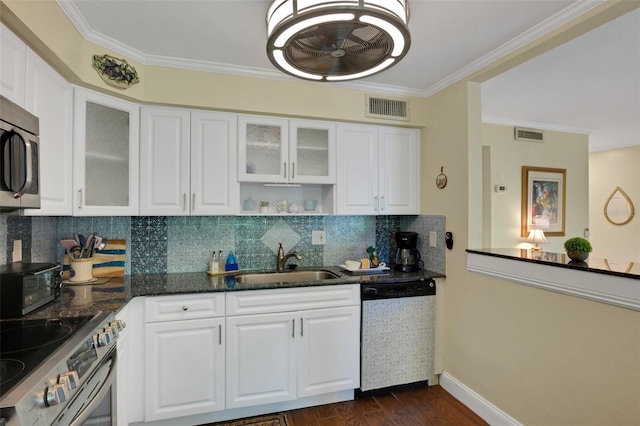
24 287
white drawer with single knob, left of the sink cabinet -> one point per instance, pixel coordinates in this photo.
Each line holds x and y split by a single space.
172 308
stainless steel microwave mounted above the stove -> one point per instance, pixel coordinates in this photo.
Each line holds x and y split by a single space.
19 162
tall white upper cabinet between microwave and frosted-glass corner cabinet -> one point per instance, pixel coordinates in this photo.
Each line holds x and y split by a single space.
50 98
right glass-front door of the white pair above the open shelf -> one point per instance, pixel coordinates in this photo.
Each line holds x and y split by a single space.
312 151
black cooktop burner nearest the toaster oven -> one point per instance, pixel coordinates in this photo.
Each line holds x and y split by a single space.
32 336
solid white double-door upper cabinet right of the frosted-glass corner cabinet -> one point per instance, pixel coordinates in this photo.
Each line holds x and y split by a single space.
188 162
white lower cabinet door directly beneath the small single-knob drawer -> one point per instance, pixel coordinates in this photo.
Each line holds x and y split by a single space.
184 369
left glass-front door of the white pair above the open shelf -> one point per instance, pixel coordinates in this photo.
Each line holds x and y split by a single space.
262 153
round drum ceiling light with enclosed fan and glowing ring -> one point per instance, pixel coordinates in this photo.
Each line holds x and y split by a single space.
337 40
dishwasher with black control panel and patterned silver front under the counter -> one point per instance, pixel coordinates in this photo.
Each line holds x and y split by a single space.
397 337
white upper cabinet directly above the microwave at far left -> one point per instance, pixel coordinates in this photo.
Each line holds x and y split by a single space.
12 66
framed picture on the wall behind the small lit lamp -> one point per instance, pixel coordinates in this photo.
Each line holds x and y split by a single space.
543 200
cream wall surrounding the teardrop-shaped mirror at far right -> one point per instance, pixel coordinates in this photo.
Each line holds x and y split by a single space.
608 170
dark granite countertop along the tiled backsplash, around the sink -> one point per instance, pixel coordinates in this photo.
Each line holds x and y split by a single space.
83 300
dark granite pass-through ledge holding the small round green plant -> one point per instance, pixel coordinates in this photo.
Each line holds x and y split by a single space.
592 264
